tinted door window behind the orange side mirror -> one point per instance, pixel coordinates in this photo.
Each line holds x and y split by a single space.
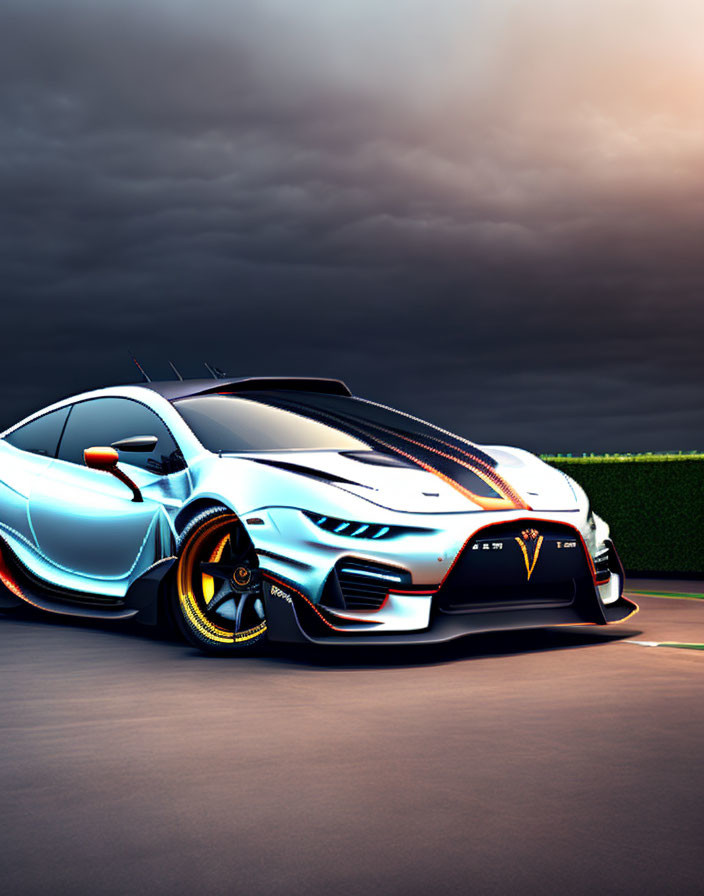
102 421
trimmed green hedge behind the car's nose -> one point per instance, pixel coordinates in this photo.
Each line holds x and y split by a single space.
655 508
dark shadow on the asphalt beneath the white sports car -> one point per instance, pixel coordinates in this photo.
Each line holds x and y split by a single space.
470 647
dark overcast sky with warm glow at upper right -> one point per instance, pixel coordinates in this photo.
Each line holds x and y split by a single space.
489 213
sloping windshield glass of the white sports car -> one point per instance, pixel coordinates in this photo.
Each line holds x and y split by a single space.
234 424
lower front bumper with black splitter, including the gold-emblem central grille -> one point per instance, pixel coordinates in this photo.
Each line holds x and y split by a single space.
491 586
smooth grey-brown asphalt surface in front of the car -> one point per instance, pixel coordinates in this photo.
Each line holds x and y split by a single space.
562 761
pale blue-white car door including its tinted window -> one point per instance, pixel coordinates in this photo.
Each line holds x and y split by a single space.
84 521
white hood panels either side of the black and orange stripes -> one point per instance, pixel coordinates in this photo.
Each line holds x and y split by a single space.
400 486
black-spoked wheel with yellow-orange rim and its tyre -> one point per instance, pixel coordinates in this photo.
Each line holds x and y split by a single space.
218 601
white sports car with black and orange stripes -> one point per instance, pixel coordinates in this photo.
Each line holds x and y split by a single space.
292 510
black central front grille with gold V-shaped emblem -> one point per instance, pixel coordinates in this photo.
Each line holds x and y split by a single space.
523 564
